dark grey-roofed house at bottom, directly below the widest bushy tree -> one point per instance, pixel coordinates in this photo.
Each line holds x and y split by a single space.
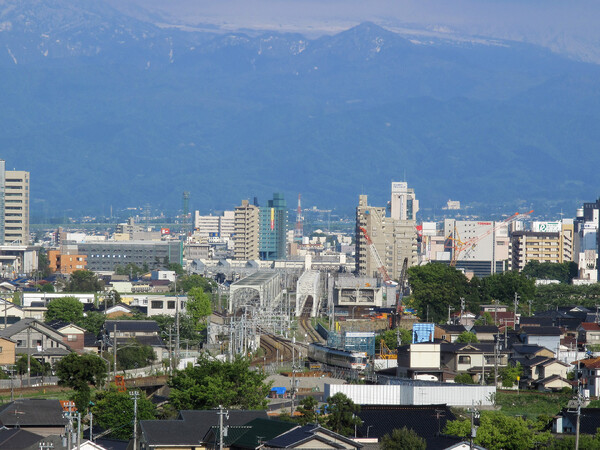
190 429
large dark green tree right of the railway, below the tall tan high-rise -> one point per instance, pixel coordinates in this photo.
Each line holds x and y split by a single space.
435 286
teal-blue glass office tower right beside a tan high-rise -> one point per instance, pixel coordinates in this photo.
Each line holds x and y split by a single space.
273 228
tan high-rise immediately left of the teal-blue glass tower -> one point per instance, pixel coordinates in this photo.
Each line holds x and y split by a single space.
246 231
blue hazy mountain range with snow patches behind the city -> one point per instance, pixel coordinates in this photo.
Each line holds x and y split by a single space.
104 109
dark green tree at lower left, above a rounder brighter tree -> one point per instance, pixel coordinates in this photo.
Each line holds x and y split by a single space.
78 372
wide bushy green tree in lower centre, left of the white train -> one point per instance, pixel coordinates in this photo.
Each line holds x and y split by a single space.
212 383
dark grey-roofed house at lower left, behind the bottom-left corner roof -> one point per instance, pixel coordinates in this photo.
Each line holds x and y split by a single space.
39 416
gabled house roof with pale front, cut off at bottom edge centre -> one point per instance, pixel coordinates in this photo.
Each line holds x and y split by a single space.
312 436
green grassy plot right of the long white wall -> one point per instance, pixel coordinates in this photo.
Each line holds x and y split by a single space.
531 404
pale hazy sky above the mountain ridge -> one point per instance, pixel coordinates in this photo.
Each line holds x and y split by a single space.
566 26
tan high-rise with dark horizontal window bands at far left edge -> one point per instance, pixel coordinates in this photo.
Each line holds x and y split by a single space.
16 207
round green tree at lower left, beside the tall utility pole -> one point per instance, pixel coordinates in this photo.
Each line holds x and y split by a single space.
114 410
